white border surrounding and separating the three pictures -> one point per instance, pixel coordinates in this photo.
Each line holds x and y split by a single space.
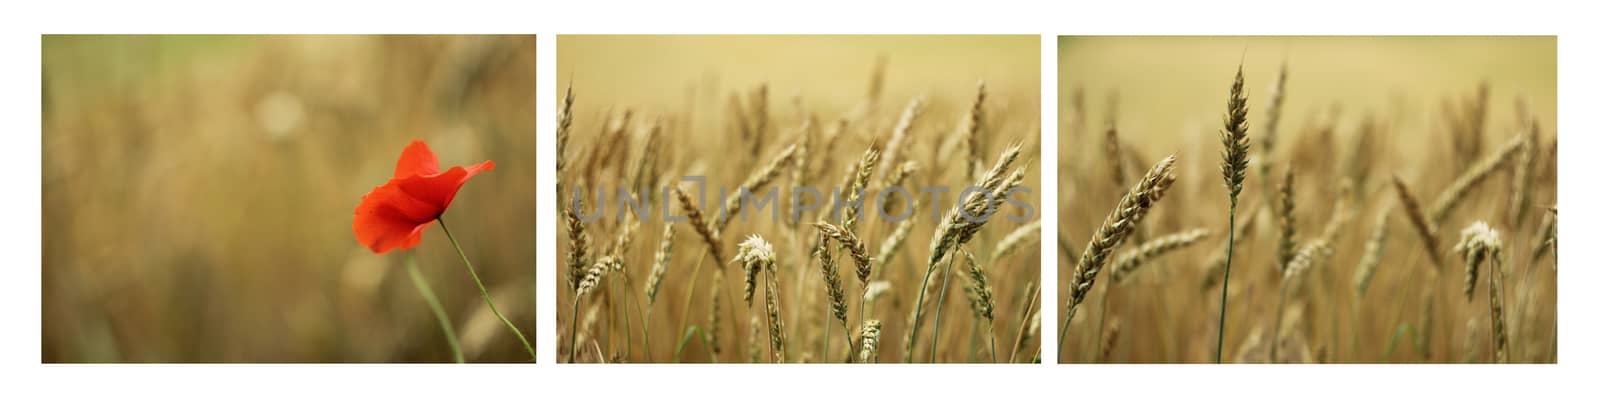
22 286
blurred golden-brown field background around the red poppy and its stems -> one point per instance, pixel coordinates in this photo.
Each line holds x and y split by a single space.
199 196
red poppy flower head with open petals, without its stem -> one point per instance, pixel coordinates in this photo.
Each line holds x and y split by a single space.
396 214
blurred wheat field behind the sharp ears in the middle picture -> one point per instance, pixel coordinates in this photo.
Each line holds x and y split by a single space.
652 110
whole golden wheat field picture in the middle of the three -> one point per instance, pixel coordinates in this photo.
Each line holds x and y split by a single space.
778 113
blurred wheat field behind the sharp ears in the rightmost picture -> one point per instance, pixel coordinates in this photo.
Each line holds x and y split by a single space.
1356 115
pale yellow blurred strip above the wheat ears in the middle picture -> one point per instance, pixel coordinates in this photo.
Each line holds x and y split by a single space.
831 73
